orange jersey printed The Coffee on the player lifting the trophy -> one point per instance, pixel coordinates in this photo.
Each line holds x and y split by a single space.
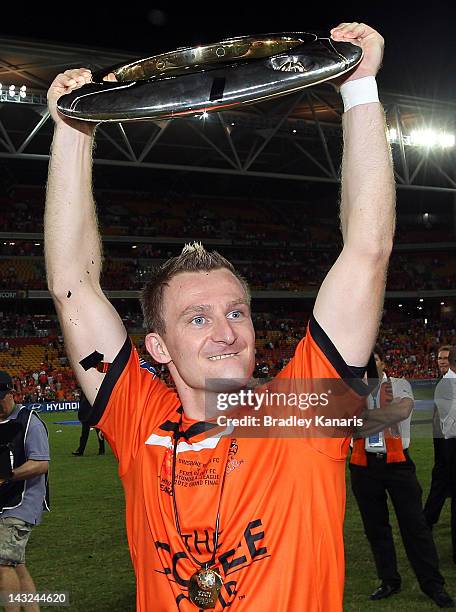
280 545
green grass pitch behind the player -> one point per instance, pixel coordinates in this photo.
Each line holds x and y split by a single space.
81 545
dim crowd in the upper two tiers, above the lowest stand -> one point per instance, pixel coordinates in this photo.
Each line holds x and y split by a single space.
283 267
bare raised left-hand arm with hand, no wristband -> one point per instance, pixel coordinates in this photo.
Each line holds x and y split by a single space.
72 243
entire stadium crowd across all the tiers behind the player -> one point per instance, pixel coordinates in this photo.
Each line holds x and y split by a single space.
264 249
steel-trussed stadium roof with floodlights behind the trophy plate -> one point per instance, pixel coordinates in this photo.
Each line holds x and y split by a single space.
292 138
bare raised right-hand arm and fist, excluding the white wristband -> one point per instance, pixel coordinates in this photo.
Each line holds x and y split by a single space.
350 301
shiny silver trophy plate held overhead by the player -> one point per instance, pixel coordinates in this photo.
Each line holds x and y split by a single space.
212 77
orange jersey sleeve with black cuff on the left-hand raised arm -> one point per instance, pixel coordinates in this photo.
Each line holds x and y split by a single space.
131 401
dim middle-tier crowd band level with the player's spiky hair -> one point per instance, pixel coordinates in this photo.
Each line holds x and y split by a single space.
299 271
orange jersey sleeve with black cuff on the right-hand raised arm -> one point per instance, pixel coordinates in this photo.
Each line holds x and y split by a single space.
317 359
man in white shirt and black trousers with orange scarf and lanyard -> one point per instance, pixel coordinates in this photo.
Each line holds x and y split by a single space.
380 464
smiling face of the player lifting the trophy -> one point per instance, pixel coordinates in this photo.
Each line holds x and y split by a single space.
209 331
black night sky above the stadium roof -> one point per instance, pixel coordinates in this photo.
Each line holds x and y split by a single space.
420 56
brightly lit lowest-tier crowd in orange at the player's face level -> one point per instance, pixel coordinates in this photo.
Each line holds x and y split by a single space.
410 350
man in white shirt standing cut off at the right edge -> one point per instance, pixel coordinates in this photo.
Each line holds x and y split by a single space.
445 400
